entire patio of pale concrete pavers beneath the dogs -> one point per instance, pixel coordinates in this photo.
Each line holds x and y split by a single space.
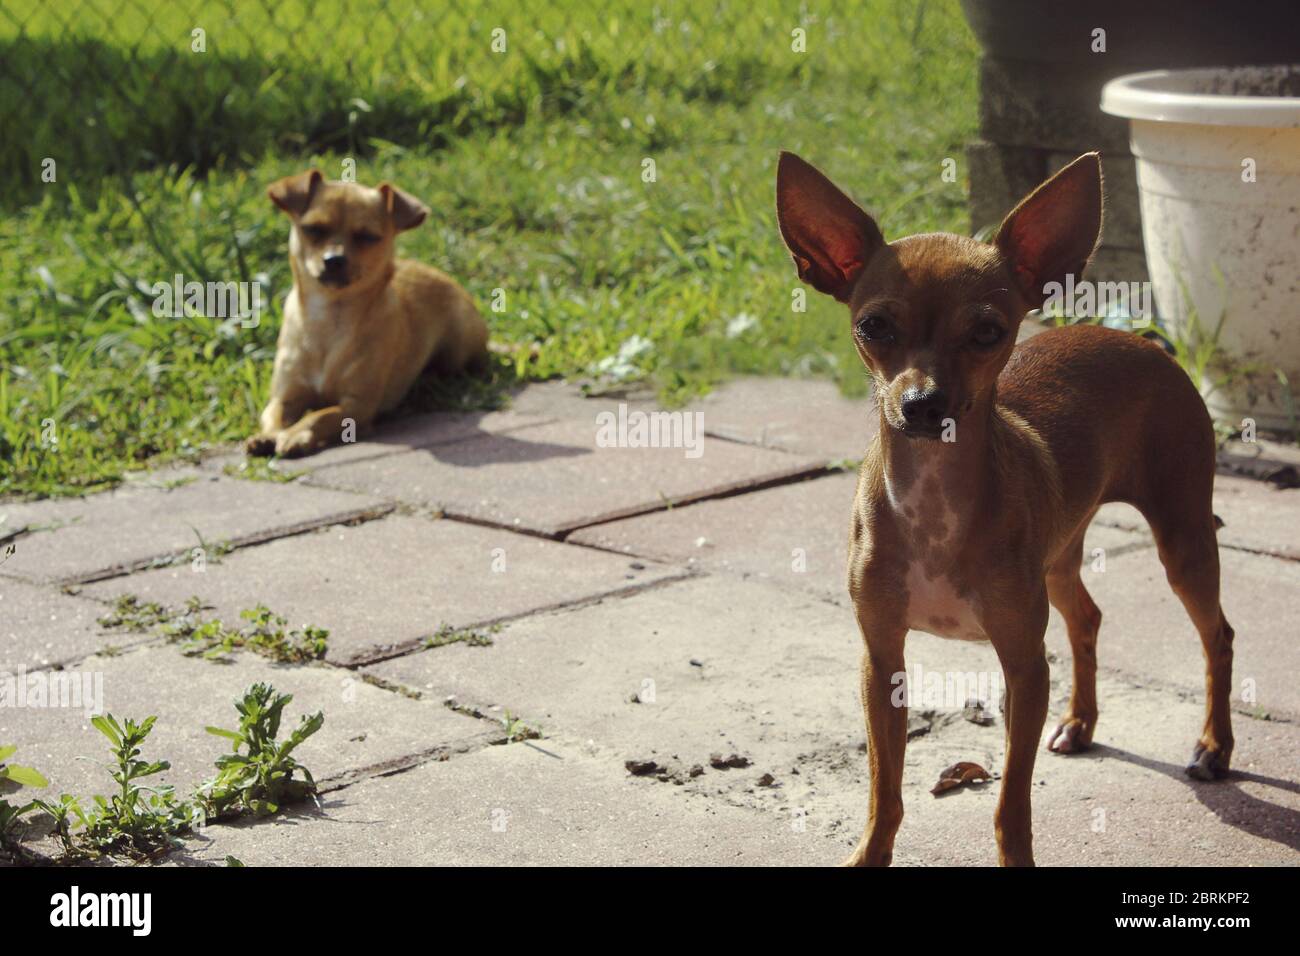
694 669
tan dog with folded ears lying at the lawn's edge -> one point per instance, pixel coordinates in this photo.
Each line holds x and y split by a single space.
361 326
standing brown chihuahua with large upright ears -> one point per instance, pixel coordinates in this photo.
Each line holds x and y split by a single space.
991 461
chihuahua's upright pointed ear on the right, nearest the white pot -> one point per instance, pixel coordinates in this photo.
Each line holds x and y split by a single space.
1055 230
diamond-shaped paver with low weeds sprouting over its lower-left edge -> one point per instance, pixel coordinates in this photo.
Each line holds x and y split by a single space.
384 586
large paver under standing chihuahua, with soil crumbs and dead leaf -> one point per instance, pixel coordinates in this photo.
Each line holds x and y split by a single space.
778 687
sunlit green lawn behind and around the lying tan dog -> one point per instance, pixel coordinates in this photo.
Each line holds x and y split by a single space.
531 161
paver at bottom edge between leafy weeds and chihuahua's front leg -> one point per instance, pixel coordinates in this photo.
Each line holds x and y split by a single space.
552 804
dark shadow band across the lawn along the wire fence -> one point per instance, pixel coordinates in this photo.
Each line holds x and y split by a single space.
101 110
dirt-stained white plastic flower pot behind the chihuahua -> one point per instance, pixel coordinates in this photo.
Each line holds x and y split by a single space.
1219 178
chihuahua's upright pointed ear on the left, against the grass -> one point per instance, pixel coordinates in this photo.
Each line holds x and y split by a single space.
829 236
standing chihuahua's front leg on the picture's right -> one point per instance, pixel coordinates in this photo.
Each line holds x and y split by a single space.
1025 665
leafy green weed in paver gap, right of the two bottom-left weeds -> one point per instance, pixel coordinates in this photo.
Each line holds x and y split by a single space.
261 780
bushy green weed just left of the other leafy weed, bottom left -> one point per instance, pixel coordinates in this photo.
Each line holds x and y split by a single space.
138 821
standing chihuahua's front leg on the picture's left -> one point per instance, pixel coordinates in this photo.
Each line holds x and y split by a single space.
886 708
